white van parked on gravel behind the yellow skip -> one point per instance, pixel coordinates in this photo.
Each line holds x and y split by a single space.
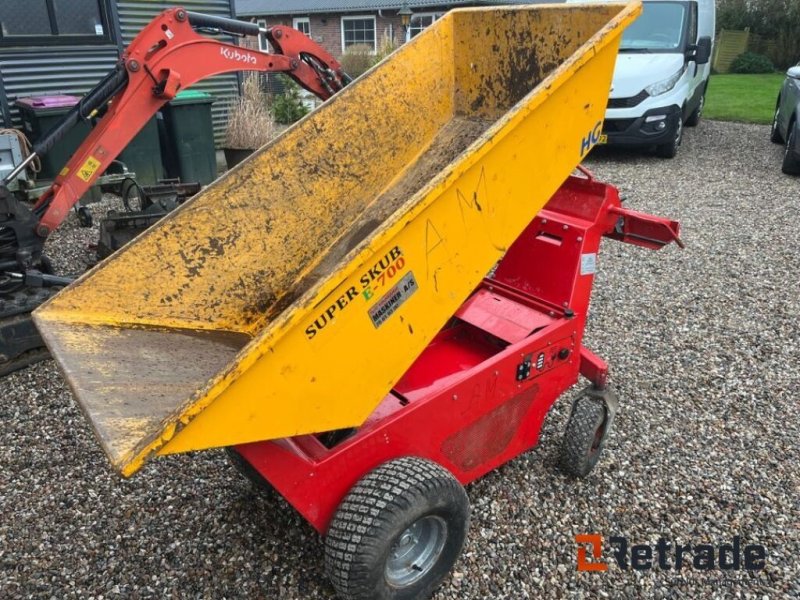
661 75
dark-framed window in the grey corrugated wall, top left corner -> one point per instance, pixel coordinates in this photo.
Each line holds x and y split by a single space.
49 22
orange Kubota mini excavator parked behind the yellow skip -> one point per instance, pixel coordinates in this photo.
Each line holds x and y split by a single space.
168 55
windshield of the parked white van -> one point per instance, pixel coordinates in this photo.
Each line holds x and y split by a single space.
658 29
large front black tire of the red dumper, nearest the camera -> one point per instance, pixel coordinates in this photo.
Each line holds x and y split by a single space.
374 514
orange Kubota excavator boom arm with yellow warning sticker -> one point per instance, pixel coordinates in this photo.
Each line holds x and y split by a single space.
169 55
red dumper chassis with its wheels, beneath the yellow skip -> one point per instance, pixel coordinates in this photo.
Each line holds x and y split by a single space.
388 496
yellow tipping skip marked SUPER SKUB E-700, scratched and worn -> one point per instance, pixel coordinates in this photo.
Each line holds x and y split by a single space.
292 293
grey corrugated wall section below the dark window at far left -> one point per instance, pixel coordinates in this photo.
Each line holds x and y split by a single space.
58 70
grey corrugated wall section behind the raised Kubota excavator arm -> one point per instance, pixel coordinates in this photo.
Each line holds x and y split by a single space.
135 14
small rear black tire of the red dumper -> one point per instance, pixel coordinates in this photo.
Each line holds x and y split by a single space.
584 438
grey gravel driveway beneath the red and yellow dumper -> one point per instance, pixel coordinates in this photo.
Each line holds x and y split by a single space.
704 345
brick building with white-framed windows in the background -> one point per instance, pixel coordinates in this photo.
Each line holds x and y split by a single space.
338 24
